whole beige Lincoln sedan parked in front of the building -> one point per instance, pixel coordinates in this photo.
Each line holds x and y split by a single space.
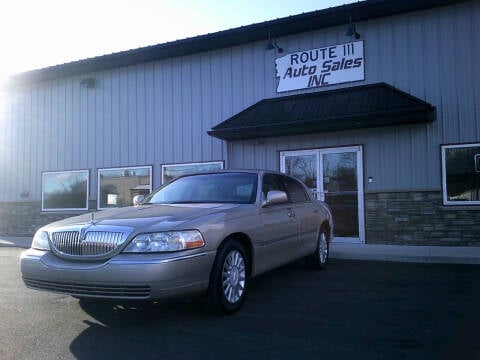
200 233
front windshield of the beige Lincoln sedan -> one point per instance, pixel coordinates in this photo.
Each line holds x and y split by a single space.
238 188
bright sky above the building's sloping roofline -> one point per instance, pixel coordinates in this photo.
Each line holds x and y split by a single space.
39 33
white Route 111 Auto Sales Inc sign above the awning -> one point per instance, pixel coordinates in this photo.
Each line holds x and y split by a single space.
321 67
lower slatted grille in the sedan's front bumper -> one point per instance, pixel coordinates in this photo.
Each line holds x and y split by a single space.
91 290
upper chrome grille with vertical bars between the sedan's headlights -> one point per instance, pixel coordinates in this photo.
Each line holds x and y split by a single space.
94 243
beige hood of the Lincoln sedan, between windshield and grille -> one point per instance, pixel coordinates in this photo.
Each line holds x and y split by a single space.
165 216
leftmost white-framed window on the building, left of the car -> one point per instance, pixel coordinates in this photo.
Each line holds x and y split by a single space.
65 190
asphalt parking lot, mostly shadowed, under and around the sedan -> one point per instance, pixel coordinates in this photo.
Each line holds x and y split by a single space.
354 309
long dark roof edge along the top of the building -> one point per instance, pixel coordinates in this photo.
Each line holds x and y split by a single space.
360 11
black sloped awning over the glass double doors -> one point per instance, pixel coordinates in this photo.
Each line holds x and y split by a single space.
342 109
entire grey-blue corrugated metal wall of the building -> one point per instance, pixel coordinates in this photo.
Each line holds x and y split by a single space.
159 112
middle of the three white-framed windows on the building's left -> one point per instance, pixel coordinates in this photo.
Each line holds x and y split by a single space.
117 187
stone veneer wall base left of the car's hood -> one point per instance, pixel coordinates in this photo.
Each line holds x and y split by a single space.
24 218
